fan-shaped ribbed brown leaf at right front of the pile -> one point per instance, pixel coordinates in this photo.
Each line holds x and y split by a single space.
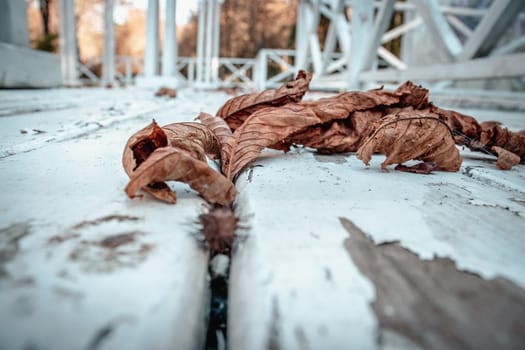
414 135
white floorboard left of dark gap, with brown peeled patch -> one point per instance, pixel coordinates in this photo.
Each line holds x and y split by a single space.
84 267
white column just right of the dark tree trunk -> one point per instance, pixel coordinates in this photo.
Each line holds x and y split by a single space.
68 43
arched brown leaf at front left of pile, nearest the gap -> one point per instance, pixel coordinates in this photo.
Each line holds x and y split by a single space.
169 163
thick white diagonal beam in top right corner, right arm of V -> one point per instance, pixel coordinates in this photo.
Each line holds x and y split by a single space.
493 25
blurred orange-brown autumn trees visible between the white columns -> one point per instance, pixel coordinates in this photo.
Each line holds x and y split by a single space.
246 27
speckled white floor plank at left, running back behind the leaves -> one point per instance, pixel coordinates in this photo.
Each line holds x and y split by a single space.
103 108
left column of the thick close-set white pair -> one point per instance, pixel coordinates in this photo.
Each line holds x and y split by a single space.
152 37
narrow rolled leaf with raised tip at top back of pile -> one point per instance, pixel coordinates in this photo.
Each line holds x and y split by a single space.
236 110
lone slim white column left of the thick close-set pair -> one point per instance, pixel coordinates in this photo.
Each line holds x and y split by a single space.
108 60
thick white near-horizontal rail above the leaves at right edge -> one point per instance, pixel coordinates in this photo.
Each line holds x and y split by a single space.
482 68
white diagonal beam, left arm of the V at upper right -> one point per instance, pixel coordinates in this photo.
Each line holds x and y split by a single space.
440 31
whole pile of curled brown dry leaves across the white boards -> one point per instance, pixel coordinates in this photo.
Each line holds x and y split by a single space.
402 124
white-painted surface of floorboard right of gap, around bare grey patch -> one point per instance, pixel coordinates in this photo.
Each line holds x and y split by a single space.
292 283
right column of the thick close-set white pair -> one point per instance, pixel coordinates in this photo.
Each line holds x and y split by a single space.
169 50
